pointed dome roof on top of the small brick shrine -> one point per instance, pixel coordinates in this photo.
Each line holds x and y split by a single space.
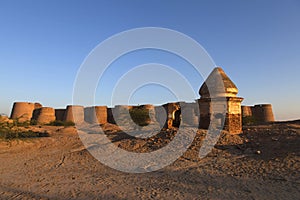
218 84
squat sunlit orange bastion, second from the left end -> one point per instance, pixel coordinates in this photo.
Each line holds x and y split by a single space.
44 115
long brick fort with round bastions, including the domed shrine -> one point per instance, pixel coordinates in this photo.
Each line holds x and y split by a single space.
218 104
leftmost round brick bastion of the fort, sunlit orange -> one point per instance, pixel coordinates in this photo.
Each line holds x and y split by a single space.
23 111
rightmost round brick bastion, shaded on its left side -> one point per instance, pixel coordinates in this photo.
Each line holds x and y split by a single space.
263 113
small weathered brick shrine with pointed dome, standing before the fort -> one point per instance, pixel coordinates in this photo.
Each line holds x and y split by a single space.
219 105
